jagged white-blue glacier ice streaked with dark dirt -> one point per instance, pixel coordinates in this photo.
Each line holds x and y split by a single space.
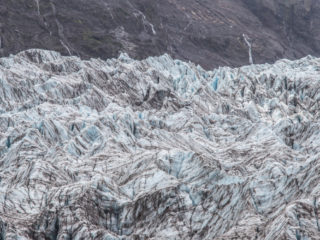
158 149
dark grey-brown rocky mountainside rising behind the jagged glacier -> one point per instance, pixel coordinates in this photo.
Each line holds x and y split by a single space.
208 32
